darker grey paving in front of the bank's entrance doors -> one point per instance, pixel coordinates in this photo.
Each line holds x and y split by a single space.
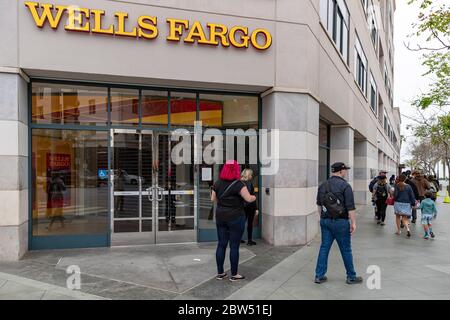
158 272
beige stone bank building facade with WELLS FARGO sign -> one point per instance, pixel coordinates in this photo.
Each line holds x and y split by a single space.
93 95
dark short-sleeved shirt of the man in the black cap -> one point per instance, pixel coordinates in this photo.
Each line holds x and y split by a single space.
342 190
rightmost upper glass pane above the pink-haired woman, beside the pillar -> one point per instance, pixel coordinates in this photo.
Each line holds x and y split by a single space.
228 111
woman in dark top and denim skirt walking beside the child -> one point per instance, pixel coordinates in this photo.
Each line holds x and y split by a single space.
404 202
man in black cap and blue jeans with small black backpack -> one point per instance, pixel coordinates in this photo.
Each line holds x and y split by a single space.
336 206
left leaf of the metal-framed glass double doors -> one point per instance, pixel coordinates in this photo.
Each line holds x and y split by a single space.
131 181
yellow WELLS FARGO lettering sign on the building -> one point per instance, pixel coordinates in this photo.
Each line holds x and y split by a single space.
91 21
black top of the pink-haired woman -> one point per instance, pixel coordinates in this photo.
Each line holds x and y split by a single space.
230 205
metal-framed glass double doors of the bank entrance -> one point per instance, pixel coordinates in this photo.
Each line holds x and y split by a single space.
152 199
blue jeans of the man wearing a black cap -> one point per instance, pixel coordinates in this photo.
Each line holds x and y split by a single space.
338 230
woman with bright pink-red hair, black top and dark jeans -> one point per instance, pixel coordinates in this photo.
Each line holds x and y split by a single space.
230 193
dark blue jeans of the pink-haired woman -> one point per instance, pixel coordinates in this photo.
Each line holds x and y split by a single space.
230 231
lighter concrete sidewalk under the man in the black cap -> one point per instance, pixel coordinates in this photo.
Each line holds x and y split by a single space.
410 268
